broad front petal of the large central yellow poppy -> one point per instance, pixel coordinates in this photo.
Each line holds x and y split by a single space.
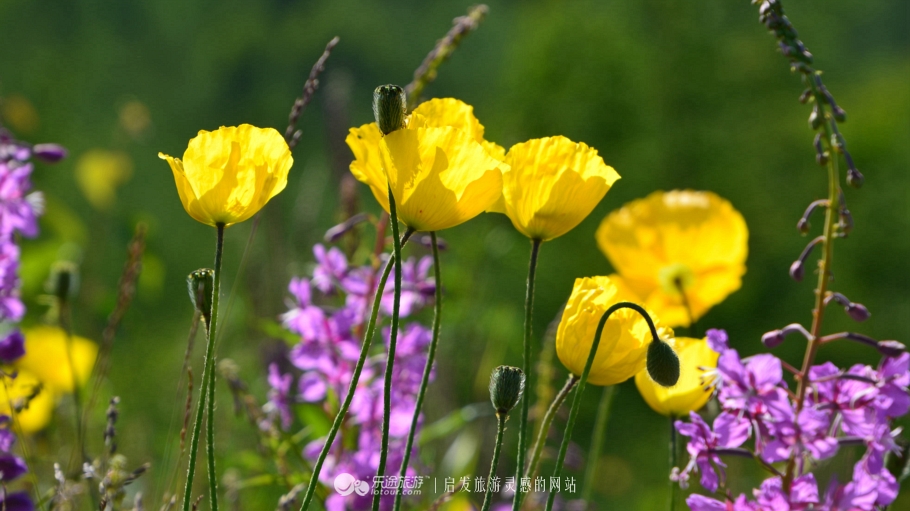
440 176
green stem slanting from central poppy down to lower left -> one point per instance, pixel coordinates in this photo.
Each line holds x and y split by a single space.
355 378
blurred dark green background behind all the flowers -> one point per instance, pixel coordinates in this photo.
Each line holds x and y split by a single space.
672 94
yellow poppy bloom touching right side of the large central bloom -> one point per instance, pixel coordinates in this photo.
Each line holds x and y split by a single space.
551 185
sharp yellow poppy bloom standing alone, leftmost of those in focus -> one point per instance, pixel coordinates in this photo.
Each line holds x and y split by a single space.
228 175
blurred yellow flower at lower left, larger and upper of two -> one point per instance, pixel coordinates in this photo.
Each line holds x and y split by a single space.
47 359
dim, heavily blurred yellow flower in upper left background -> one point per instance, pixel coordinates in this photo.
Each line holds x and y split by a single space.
99 173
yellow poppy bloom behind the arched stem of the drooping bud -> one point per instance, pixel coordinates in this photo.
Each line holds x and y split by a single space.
623 348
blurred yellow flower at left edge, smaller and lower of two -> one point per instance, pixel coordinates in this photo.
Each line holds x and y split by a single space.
40 408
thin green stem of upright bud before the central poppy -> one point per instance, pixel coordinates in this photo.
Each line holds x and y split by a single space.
393 342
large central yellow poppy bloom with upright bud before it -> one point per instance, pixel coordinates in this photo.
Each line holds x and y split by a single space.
441 170
